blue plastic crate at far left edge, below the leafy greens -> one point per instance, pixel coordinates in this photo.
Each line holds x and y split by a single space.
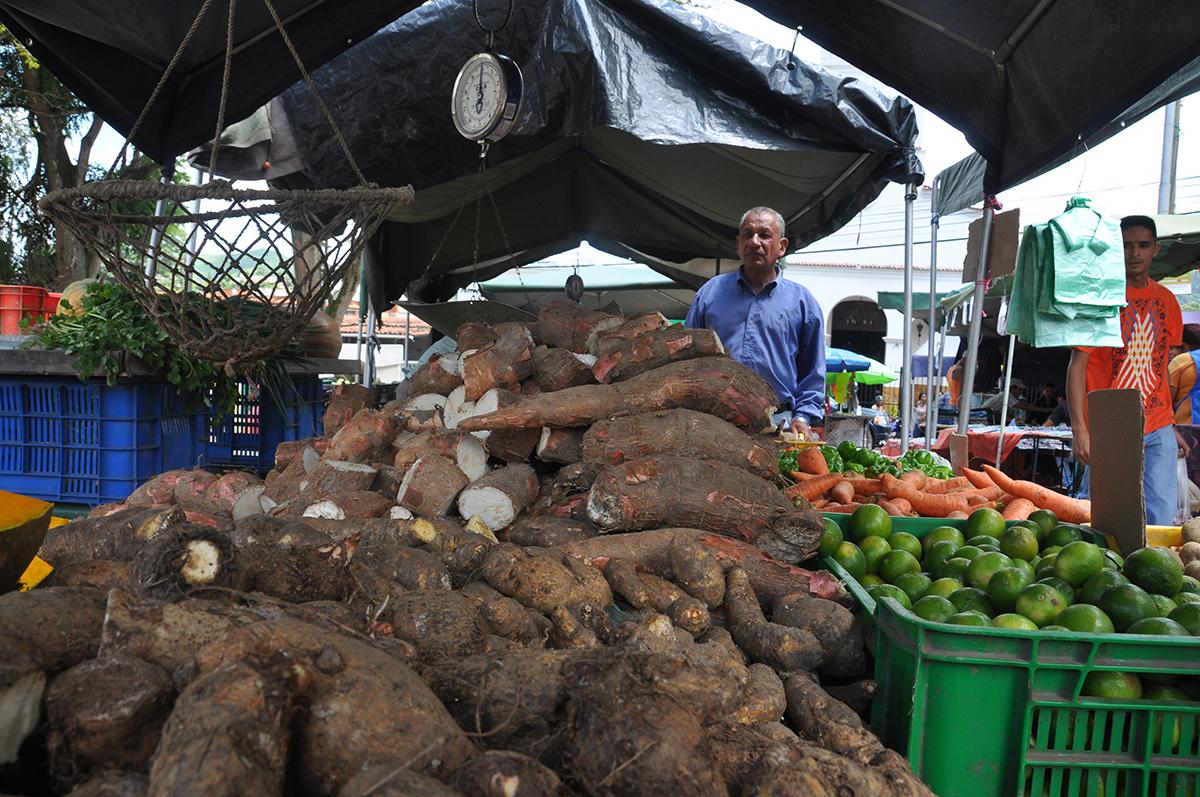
87 442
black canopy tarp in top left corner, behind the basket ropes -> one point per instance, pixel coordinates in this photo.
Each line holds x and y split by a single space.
112 55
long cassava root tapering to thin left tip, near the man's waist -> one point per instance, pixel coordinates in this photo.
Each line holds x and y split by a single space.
719 386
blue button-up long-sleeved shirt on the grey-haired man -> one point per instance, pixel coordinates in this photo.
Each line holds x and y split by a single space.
779 333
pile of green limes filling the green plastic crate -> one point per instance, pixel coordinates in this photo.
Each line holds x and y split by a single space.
1035 574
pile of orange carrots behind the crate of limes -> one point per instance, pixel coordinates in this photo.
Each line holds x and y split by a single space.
916 495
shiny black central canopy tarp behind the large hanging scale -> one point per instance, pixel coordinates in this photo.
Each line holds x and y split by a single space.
644 127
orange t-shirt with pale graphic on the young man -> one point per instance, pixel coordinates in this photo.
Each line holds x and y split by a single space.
1151 323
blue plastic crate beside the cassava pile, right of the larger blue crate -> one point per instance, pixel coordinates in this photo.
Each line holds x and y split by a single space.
259 426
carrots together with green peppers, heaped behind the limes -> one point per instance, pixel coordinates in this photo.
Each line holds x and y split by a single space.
915 486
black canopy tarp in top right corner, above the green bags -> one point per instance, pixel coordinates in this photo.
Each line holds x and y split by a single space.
1028 82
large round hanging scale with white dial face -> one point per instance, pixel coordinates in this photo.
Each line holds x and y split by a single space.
487 97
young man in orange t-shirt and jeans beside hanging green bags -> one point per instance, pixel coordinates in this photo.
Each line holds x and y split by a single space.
1151 323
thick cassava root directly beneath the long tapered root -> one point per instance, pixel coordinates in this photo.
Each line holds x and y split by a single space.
679 433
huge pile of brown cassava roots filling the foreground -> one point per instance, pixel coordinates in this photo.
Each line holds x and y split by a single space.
545 573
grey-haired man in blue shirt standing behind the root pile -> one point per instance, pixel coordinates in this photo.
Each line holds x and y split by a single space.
771 325
